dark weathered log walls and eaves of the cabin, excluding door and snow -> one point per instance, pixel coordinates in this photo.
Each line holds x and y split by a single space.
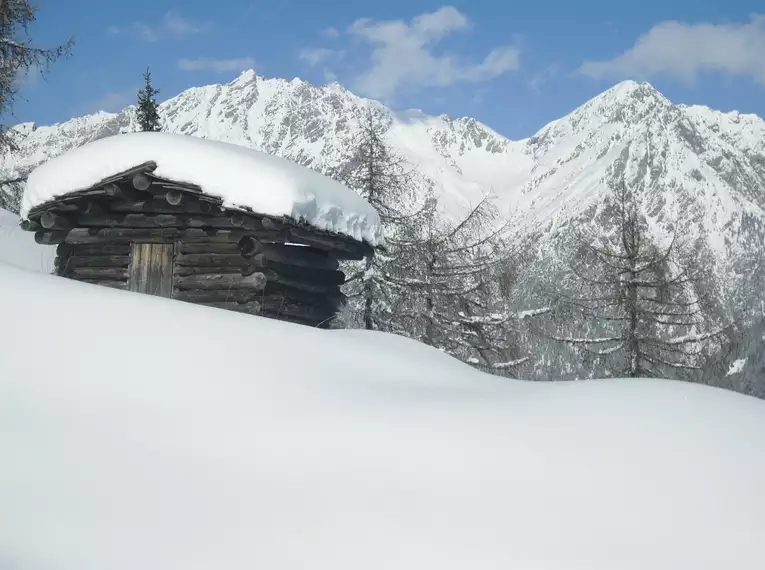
225 258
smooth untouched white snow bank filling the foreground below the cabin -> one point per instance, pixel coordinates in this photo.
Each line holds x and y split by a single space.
230 441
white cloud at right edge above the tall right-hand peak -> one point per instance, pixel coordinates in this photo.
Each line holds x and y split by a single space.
683 51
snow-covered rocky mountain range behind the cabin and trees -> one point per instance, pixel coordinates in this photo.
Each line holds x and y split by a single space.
694 169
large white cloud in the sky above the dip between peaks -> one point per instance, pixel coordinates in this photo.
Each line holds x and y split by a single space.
403 54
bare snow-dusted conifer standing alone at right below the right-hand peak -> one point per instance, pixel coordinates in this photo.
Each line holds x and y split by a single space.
634 300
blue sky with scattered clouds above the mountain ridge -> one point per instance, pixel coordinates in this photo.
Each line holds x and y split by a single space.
513 65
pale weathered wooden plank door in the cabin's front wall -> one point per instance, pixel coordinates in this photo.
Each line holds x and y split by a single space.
151 269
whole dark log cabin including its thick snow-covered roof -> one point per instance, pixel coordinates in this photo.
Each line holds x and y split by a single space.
203 222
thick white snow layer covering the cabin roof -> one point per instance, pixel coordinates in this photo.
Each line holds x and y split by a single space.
240 176
